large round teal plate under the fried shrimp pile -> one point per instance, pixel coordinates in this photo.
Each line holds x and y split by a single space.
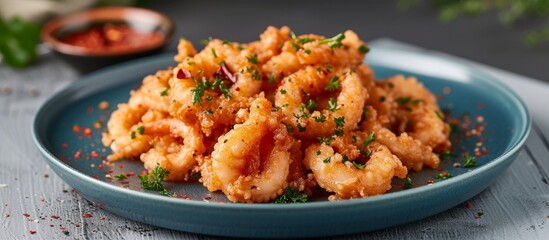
78 158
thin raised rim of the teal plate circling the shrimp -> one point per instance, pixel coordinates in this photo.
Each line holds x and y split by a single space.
514 147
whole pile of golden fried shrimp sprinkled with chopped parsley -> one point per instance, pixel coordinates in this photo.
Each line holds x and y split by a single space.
285 111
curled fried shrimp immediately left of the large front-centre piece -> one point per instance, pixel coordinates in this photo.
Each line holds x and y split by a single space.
176 149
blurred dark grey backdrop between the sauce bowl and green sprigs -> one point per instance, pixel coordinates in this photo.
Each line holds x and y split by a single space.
482 39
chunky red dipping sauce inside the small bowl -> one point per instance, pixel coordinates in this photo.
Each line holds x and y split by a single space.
113 38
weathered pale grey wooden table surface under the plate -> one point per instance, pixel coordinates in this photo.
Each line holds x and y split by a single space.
33 198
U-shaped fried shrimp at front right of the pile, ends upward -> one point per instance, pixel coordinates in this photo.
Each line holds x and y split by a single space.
349 179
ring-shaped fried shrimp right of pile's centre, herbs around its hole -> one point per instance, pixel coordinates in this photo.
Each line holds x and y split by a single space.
344 111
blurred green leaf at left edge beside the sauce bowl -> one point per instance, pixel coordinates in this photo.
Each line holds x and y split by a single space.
18 42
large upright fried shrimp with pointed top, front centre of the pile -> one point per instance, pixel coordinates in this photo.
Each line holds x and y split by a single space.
251 162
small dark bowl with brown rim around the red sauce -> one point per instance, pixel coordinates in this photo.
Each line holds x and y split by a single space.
86 59
